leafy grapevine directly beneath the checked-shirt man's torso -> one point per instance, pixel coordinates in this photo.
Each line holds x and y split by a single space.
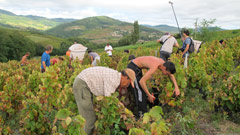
113 117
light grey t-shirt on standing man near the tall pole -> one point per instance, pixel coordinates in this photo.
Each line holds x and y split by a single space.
168 45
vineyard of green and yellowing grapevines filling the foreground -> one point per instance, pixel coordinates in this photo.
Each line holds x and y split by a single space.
43 103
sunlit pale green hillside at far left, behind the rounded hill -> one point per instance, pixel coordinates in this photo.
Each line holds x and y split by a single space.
29 21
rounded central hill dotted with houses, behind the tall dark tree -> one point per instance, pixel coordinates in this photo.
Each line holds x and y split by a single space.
101 29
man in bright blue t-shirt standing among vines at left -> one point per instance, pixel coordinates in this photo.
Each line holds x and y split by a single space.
45 59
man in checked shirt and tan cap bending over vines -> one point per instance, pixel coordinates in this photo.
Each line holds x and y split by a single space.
98 81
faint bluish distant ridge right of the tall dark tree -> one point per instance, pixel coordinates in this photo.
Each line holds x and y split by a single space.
164 28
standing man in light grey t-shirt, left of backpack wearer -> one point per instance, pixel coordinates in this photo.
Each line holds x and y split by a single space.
168 42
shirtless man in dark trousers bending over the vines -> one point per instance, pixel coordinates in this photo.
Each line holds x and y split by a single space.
140 92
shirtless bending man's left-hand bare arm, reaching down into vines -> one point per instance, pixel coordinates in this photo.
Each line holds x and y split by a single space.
143 80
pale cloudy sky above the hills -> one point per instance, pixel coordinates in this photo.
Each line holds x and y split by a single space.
151 12
